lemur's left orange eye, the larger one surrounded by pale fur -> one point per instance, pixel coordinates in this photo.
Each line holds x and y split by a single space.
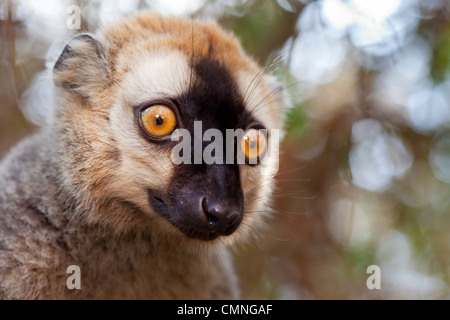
158 120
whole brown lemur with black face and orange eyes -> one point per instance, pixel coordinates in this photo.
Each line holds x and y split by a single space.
97 187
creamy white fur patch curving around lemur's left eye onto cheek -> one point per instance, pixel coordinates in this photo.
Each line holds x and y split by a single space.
165 74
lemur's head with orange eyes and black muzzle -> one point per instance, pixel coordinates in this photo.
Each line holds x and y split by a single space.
124 93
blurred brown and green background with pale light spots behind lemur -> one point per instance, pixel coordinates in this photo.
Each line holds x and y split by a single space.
364 177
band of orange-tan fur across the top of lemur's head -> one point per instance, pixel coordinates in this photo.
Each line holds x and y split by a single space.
145 31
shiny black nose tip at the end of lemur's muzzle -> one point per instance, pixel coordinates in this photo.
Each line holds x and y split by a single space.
221 219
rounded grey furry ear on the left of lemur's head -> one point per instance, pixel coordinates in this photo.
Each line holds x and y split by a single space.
82 67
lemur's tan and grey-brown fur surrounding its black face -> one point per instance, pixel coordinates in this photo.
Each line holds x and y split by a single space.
76 192
